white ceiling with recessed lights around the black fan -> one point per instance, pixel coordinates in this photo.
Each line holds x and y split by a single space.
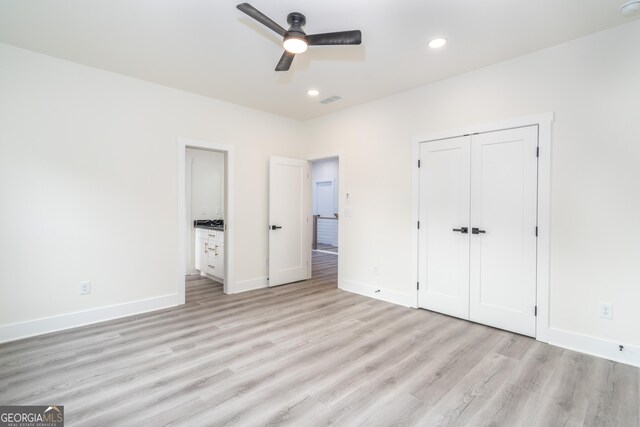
210 48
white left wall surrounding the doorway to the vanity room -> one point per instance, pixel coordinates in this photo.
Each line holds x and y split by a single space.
88 184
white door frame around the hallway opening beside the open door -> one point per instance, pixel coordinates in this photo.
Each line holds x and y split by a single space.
341 207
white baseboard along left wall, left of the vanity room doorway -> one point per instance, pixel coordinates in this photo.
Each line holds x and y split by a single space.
29 328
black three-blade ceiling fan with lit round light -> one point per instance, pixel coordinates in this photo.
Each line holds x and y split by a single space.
295 40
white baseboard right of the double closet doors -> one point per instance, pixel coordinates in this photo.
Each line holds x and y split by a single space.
593 346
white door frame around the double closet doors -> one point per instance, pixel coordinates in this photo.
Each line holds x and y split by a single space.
544 123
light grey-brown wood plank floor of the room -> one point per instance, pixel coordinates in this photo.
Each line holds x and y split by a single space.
309 354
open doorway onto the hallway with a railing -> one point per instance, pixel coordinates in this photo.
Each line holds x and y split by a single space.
325 214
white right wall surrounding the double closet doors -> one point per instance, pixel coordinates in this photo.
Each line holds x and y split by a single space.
593 86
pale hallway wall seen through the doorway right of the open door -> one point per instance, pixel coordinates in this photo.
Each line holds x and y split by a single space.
325 170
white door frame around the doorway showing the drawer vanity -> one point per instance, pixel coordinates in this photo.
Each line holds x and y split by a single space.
229 214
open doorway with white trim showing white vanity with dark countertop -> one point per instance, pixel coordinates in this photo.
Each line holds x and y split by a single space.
205 209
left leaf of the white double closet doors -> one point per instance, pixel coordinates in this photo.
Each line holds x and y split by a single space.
444 206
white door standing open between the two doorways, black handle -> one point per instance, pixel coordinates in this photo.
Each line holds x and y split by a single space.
289 246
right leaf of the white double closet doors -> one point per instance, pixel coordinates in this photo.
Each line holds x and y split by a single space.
503 210
